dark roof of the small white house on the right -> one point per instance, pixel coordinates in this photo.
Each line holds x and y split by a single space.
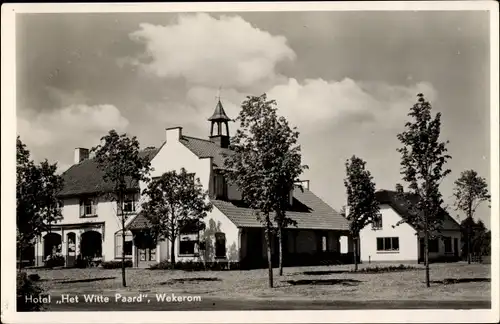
401 206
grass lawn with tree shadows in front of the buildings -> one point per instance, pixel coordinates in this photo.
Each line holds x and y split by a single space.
450 281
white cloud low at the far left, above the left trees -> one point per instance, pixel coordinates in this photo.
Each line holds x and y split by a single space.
57 132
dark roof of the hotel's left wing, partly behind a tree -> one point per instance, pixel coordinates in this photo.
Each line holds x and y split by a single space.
86 178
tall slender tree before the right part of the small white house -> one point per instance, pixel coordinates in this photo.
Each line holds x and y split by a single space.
423 159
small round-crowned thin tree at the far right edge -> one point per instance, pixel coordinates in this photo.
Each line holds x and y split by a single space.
470 191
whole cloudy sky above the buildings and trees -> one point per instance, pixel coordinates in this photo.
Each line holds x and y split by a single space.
345 79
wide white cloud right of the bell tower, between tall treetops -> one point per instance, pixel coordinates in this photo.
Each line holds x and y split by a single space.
313 102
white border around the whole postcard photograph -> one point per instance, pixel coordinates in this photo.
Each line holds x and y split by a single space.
8 114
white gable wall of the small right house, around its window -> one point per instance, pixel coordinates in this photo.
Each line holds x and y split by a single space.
408 242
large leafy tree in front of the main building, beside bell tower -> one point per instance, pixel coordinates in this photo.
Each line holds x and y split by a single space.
265 166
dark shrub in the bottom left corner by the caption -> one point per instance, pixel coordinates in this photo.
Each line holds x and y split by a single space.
27 292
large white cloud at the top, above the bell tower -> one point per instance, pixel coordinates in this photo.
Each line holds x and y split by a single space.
206 51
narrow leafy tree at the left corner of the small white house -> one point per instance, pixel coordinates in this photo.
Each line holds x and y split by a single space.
363 208
